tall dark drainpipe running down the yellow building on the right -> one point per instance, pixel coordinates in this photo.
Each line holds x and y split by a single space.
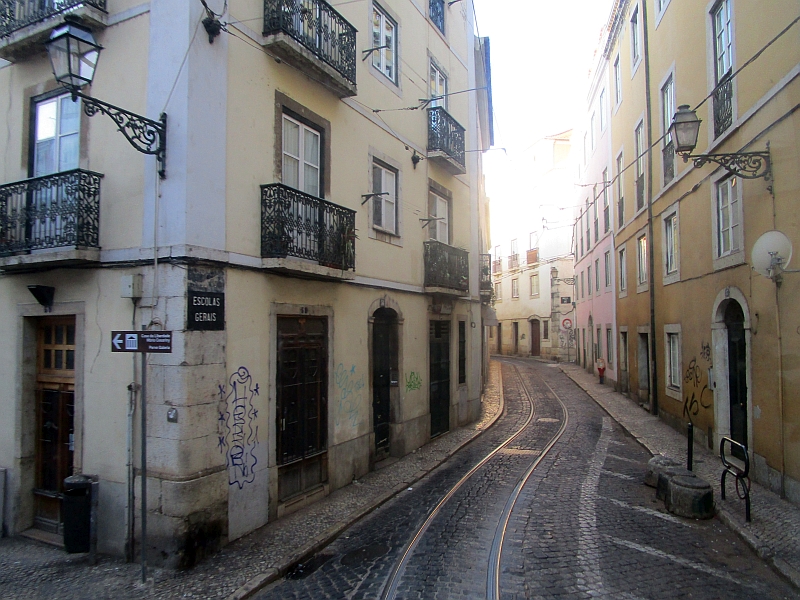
650 257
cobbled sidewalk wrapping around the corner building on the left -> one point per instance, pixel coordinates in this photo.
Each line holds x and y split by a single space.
30 569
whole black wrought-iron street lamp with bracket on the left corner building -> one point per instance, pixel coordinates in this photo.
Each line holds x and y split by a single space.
73 54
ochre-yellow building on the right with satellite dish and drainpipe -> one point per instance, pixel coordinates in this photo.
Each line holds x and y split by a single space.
703 337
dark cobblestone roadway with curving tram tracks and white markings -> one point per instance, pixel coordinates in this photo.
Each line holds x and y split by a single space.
584 526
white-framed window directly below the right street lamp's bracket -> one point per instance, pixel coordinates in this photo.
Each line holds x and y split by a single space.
734 253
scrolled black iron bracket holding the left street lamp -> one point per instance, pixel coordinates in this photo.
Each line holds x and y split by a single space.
145 135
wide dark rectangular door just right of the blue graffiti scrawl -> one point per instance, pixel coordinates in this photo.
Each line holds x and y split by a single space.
302 404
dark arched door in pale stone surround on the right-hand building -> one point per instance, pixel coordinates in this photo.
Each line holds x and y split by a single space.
737 371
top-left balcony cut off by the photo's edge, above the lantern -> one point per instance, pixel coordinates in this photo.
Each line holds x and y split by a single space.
26 24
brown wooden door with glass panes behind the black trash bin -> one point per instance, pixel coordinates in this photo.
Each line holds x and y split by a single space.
55 417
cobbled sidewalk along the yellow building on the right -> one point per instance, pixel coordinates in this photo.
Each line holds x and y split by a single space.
773 533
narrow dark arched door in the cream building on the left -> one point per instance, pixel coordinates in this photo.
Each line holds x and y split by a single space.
384 376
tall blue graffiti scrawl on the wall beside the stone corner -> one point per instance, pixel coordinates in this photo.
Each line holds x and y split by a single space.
238 431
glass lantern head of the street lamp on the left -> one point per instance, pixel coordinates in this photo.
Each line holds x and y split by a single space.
73 54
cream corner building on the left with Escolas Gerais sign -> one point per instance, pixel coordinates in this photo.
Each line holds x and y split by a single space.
314 248
